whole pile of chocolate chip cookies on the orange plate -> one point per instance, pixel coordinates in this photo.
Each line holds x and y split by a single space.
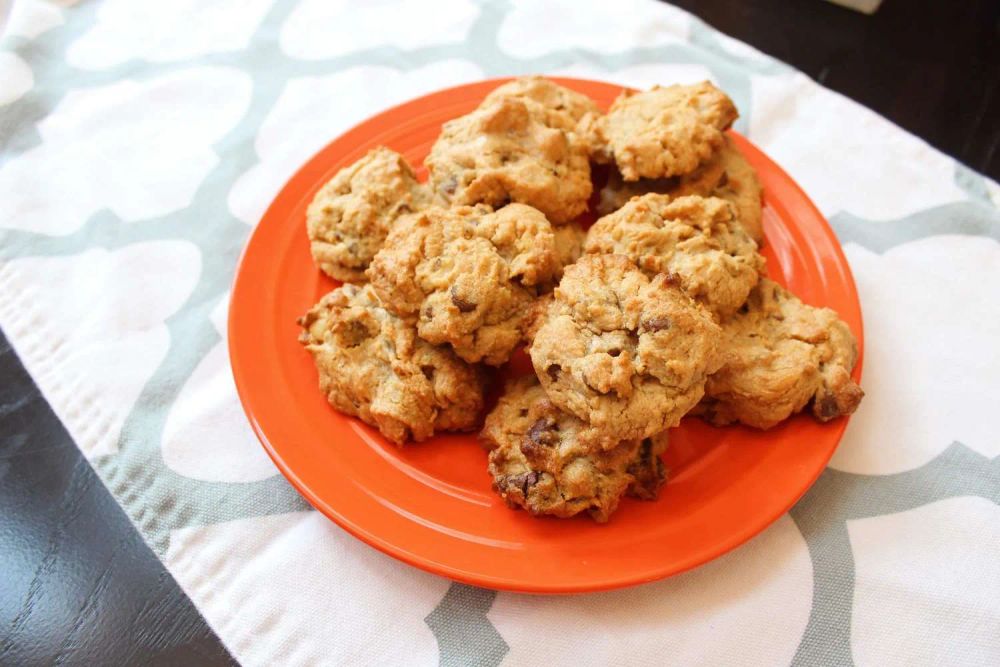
661 309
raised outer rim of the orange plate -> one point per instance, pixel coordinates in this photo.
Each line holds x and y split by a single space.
486 580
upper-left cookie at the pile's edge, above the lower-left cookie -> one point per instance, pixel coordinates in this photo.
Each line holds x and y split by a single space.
351 215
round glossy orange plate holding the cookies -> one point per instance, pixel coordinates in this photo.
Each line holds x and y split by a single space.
430 504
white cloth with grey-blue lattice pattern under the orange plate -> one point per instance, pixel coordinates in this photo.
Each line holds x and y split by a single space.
140 144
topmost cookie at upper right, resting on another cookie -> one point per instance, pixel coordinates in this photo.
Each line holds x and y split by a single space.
662 132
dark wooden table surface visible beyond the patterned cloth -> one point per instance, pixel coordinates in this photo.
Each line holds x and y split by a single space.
81 587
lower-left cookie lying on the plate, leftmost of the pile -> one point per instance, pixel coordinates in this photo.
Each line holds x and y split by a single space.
372 365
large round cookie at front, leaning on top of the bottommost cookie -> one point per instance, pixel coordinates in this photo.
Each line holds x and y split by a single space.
625 353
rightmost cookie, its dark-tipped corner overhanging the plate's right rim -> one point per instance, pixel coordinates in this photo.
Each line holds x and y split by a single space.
782 355
